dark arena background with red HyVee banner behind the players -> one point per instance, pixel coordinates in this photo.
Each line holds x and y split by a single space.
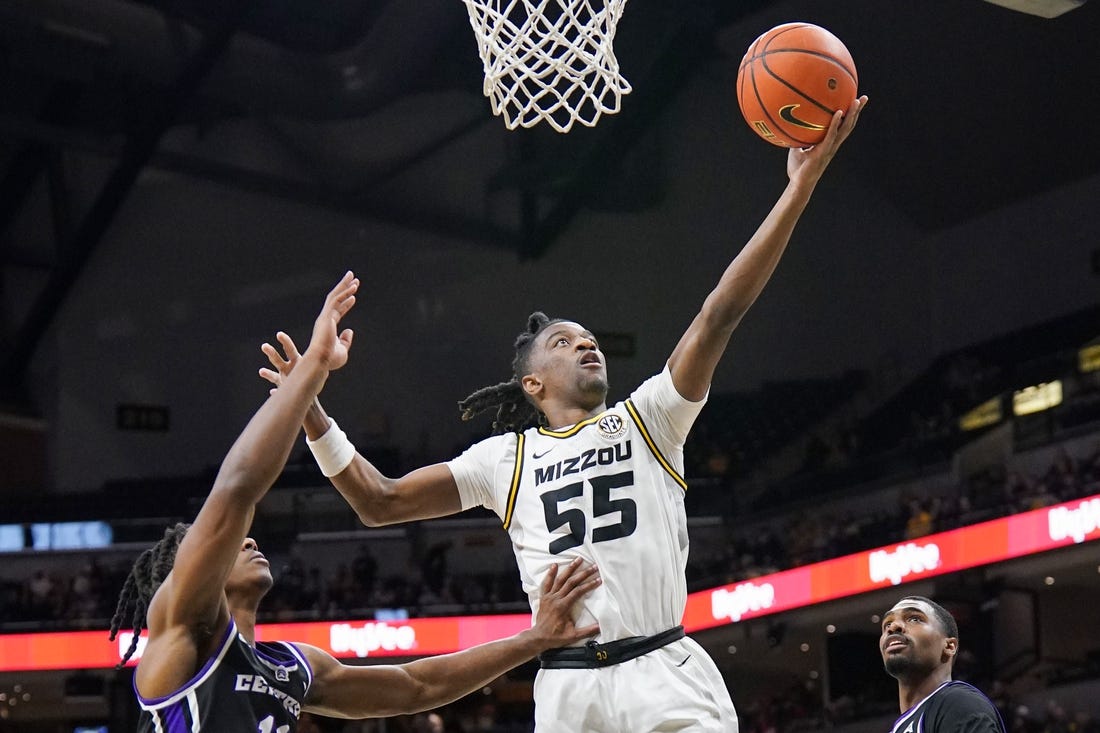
912 407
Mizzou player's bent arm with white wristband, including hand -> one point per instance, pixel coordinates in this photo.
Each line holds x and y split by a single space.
379 500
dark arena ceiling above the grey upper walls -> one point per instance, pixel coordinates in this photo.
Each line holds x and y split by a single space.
977 107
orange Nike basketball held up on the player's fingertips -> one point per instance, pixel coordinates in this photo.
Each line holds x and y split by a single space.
791 82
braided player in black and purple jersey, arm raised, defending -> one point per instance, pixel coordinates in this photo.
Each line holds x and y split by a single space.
199 590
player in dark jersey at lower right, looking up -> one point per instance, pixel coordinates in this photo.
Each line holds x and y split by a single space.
919 644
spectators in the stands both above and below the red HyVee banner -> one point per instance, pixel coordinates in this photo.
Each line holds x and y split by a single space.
86 597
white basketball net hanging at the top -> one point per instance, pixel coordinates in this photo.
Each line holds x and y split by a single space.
549 60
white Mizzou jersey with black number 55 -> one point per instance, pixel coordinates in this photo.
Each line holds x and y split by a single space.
611 490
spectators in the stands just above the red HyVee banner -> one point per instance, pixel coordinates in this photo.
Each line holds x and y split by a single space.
86 597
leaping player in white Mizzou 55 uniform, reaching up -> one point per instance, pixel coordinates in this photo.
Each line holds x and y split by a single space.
573 478
